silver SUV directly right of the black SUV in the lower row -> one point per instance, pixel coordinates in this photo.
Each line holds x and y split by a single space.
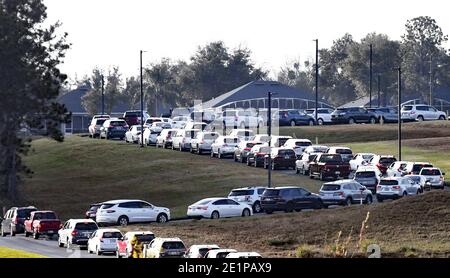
345 192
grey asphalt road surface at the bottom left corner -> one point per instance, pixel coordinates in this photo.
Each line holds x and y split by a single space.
45 247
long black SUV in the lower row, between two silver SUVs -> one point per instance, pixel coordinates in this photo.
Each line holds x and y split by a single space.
289 199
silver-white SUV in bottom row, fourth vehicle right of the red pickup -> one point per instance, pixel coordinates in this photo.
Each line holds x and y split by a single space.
165 248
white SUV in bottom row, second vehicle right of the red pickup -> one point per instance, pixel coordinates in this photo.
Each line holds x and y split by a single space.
104 241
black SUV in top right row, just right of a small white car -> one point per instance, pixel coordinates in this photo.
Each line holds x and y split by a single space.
353 115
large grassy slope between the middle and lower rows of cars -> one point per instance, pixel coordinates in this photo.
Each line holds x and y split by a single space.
69 176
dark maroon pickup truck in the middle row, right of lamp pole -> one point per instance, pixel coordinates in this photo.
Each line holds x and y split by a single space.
329 166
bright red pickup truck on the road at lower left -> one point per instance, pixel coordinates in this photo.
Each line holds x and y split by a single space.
42 222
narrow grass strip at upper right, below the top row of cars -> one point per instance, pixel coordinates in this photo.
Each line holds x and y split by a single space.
367 133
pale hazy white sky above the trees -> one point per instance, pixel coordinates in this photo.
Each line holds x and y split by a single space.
111 32
